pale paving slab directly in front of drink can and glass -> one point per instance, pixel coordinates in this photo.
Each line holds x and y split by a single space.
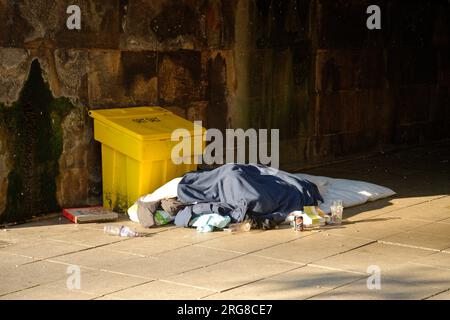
312 248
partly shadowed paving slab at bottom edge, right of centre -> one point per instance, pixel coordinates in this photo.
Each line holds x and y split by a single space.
297 284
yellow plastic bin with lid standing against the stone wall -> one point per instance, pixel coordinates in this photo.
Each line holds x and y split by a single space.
137 151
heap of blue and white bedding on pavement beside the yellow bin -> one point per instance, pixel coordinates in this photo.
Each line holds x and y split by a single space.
261 194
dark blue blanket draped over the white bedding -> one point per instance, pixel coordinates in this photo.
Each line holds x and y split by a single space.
235 189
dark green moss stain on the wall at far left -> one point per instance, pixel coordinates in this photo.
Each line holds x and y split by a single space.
34 124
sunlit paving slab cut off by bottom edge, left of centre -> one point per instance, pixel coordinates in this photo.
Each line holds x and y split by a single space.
160 290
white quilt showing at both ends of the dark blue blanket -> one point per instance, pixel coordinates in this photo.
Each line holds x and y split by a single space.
351 192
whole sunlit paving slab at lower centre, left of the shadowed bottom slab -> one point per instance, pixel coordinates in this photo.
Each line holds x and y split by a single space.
233 273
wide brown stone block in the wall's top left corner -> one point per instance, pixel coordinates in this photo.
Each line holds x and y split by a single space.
28 22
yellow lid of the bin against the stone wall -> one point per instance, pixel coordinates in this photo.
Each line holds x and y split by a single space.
144 123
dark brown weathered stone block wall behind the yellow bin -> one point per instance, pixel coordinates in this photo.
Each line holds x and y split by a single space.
308 67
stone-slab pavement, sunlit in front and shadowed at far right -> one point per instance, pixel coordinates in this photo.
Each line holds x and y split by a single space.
396 248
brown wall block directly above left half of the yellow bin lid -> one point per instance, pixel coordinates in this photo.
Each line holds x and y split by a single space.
119 79
